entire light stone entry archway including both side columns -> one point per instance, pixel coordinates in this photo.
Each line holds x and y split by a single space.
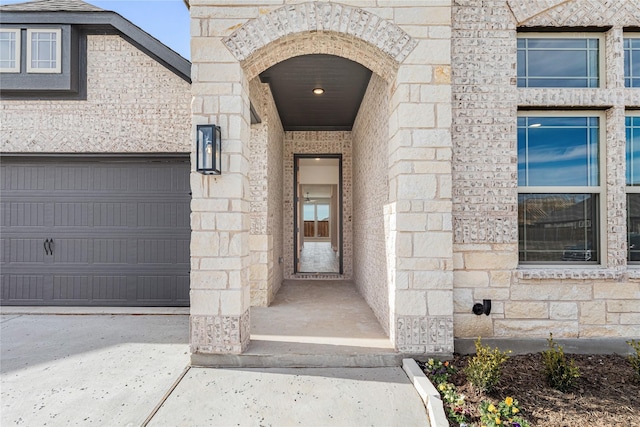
419 298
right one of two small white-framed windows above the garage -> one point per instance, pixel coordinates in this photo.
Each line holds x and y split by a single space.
43 51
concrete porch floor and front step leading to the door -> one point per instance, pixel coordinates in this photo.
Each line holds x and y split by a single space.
312 323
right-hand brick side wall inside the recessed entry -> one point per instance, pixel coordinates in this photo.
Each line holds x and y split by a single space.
370 134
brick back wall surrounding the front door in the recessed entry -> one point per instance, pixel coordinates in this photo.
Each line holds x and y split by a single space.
318 142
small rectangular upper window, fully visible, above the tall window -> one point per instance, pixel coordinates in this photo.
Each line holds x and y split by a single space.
558 61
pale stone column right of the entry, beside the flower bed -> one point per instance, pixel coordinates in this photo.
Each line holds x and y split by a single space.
419 216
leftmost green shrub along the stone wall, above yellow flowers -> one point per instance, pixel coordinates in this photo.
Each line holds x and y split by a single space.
484 369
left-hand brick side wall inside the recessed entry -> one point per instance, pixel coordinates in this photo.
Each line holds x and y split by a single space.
265 180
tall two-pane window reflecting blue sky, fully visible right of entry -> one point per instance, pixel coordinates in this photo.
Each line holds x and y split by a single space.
559 186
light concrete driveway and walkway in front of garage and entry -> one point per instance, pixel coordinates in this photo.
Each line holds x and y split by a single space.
121 370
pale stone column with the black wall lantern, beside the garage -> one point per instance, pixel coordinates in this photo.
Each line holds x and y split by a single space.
220 294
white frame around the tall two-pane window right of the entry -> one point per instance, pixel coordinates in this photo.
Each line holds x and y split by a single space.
600 189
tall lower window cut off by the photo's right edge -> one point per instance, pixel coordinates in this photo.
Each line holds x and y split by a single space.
632 125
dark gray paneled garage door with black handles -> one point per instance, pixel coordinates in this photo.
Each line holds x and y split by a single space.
113 232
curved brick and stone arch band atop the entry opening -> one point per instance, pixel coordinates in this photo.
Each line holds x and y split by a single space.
320 27
